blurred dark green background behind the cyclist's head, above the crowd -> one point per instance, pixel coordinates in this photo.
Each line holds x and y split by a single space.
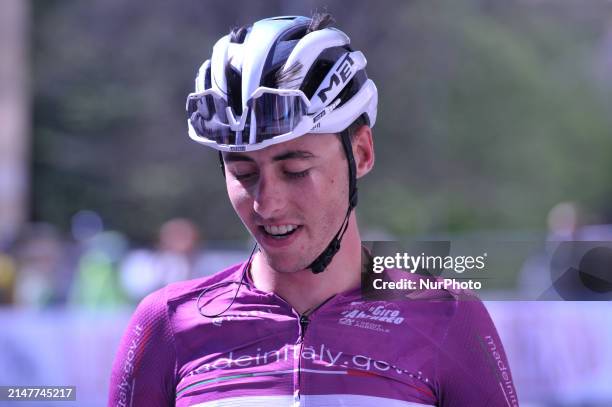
490 113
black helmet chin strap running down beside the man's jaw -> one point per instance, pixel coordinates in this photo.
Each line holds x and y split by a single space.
322 261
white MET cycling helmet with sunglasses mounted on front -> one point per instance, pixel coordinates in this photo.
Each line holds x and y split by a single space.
276 80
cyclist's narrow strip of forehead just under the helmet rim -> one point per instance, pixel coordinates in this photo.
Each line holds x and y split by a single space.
313 145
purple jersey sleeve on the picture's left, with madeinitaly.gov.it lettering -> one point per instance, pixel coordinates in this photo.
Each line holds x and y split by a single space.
144 368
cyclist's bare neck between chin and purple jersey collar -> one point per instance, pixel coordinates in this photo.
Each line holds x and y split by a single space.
305 290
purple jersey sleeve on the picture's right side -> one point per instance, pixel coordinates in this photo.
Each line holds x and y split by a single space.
472 368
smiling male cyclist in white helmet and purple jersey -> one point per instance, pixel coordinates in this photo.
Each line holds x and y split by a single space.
289 107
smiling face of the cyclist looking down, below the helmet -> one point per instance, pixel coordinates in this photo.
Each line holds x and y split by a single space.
292 197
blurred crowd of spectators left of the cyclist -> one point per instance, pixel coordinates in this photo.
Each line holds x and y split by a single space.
98 268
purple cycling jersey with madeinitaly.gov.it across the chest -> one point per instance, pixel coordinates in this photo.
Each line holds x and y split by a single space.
439 350
